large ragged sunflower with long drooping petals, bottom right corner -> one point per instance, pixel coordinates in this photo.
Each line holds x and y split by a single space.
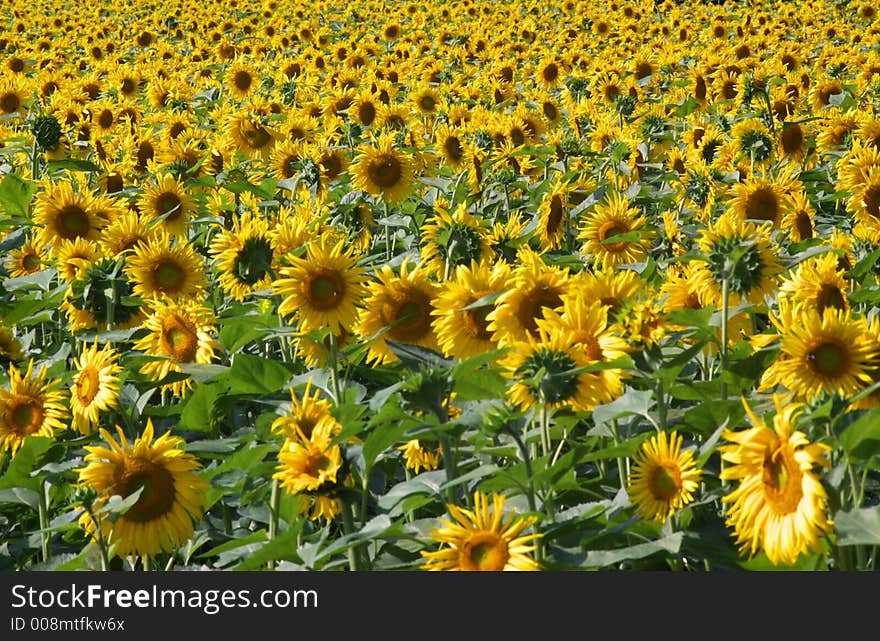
779 505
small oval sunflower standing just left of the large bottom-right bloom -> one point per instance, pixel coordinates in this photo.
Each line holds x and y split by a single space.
664 478
